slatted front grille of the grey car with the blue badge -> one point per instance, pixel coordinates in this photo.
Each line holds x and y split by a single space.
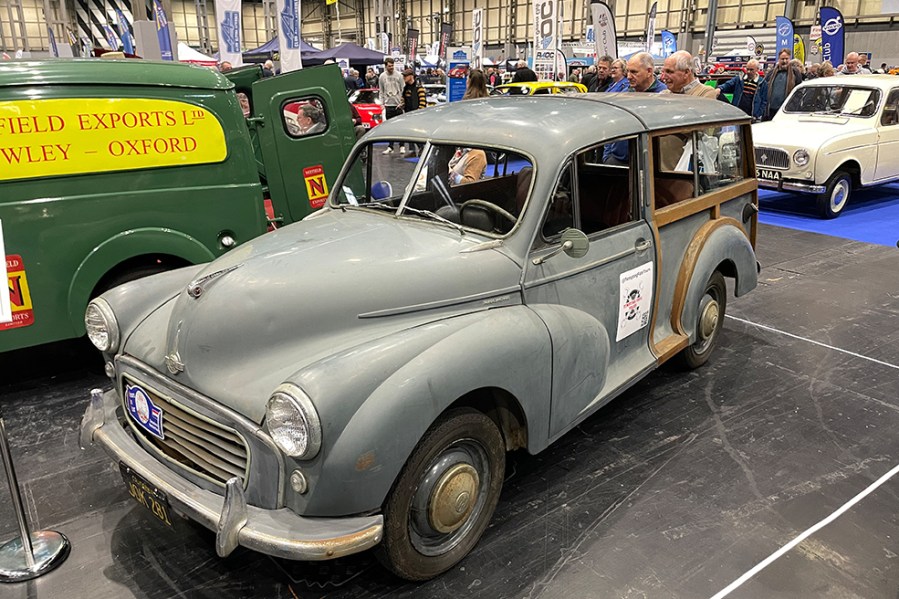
199 444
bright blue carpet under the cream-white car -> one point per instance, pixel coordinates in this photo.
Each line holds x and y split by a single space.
872 214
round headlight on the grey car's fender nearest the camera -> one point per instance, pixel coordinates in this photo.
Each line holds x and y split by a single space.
293 423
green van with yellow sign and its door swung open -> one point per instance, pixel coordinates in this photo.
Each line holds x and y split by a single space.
113 170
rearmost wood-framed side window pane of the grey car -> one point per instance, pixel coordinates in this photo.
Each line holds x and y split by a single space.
719 157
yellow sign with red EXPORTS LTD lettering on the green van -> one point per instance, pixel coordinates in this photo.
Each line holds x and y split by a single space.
41 138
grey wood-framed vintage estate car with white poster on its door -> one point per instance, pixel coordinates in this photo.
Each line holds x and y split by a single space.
355 380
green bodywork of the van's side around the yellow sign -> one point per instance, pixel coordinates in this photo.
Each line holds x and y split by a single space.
71 230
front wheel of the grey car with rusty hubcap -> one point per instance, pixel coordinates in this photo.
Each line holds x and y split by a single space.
444 497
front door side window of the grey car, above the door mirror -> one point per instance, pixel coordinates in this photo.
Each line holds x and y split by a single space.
605 196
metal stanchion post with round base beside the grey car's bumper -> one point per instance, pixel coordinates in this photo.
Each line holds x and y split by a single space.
32 554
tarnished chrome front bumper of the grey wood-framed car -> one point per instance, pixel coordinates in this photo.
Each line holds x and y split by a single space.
280 533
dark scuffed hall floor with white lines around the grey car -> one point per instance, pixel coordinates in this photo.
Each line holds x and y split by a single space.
676 489
